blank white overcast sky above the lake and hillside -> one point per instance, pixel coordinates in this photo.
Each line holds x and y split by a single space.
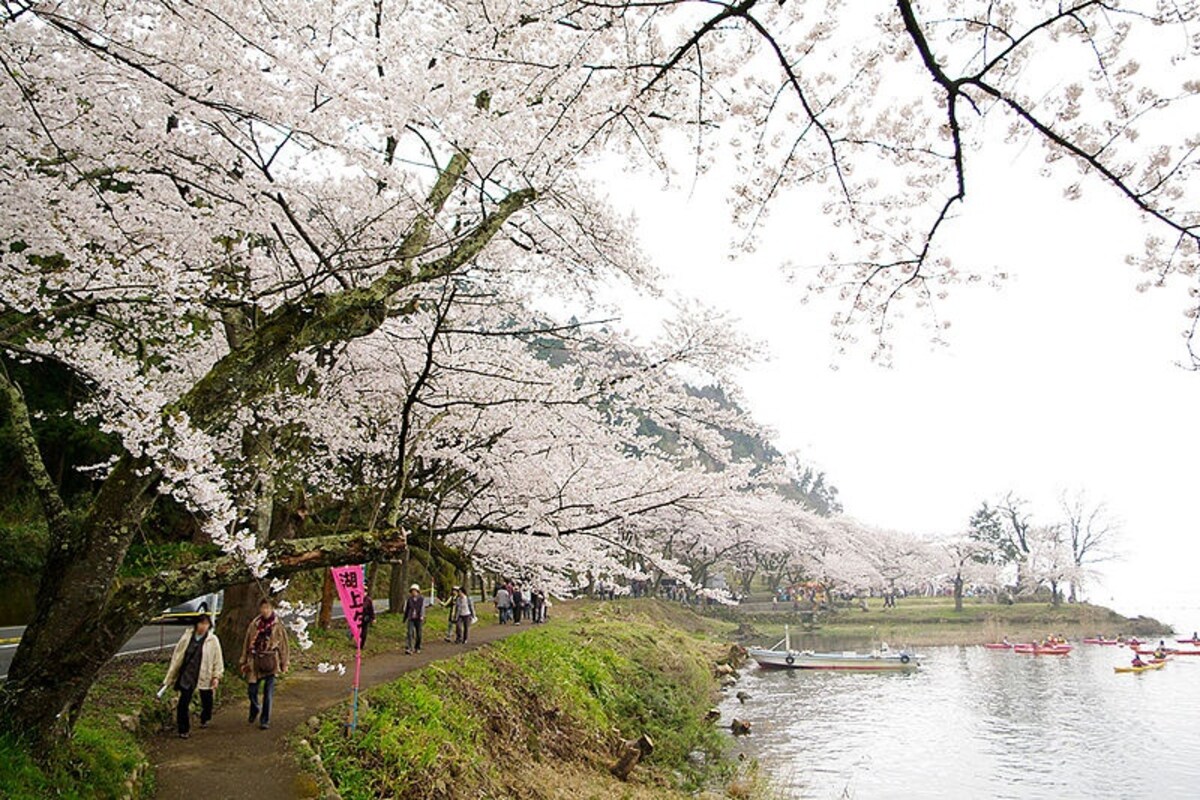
1065 378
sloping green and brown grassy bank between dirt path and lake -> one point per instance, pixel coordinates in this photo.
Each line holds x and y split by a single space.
542 715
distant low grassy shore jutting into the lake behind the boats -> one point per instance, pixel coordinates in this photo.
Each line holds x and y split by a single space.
933 621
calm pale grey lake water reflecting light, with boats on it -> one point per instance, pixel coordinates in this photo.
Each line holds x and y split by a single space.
979 724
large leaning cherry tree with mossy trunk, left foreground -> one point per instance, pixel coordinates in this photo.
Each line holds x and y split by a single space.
205 206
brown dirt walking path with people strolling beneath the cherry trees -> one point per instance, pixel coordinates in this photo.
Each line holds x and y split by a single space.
233 760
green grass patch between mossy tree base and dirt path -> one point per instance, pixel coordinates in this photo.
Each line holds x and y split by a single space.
103 755
